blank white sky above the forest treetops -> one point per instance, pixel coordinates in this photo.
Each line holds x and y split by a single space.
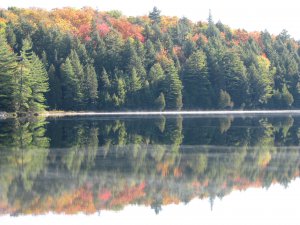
273 15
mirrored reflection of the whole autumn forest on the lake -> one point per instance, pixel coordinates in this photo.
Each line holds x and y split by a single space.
76 164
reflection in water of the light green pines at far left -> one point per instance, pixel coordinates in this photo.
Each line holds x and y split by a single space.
24 150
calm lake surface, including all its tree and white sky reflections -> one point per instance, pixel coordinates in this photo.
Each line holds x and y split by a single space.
155 170
